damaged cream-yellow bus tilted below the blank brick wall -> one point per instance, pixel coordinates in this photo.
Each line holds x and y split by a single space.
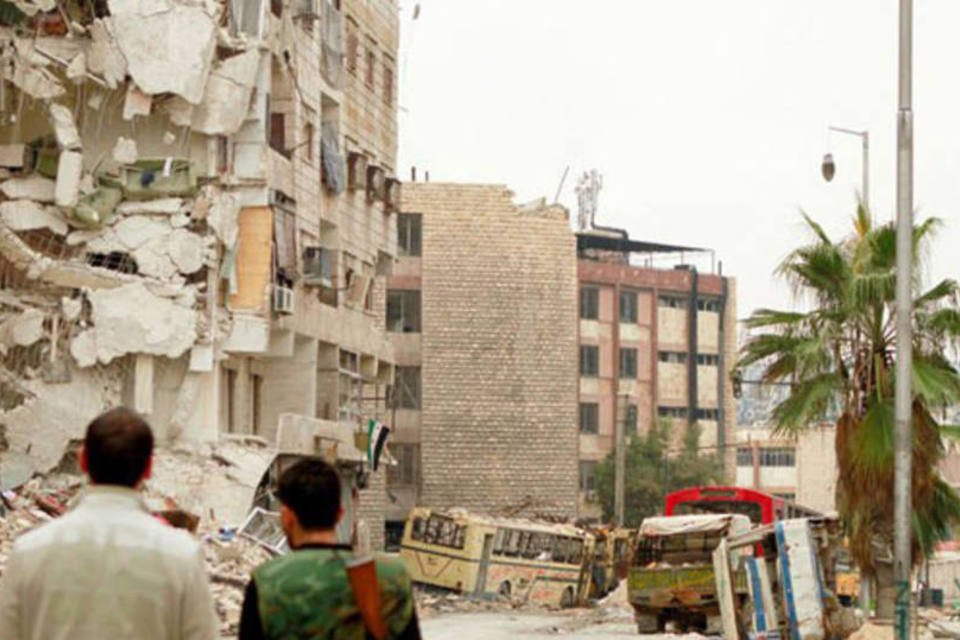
485 556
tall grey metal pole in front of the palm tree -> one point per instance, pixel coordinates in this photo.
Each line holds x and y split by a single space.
902 560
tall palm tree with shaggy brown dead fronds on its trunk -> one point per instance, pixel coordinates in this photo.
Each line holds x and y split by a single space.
839 359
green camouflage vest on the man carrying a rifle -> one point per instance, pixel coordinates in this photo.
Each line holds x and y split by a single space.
306 594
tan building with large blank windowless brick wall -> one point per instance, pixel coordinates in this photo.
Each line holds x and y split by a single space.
482 308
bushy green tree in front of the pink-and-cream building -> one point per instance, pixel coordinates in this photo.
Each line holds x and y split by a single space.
653 468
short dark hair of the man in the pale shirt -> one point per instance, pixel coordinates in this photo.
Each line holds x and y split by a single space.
119 444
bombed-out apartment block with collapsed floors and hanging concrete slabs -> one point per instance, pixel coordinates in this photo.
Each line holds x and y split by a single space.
197 220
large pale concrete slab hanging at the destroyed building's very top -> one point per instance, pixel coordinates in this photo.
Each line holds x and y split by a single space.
168 46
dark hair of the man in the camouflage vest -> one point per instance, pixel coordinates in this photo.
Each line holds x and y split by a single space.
311 488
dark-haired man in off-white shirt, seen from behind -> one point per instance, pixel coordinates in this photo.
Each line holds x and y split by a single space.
108 569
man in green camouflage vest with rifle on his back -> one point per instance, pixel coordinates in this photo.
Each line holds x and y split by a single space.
307 593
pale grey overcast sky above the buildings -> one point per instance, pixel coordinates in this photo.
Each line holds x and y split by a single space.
708 119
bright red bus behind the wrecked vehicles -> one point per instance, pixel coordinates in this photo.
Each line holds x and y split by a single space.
761 508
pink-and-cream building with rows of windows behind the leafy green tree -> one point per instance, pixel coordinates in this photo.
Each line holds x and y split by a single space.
655 344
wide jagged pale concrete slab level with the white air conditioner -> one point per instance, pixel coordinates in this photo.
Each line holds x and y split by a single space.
131 319
